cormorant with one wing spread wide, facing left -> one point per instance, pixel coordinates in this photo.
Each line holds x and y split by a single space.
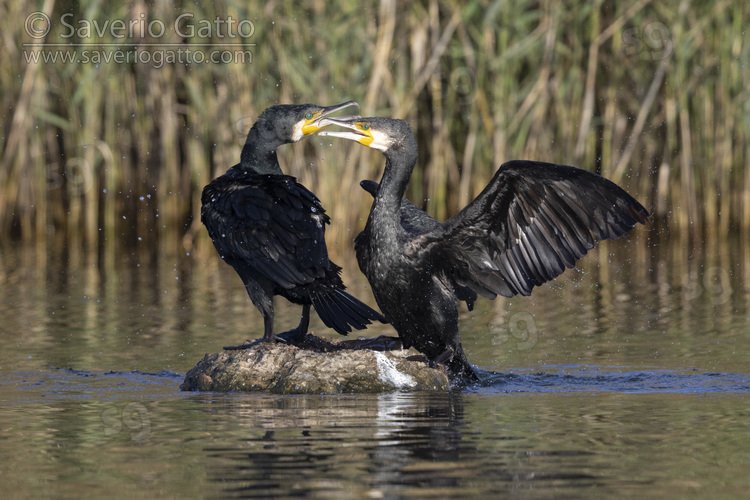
532 221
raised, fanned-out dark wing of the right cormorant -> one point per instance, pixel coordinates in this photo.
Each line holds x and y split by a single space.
531 222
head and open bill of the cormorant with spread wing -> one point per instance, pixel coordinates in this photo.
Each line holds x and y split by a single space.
388 135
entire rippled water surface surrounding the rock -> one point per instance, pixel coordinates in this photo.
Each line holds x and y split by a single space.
625 378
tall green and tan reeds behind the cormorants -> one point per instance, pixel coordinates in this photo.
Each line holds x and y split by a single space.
651 94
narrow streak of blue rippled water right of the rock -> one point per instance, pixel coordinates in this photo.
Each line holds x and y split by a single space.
577 378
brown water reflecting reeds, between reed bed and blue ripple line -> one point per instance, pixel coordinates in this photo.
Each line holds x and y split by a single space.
648 299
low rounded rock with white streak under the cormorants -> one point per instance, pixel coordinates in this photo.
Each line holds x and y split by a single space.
318 367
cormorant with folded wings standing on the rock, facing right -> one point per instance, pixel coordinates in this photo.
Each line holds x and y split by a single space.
271 229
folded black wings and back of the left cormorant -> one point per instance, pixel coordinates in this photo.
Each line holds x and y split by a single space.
269 224
